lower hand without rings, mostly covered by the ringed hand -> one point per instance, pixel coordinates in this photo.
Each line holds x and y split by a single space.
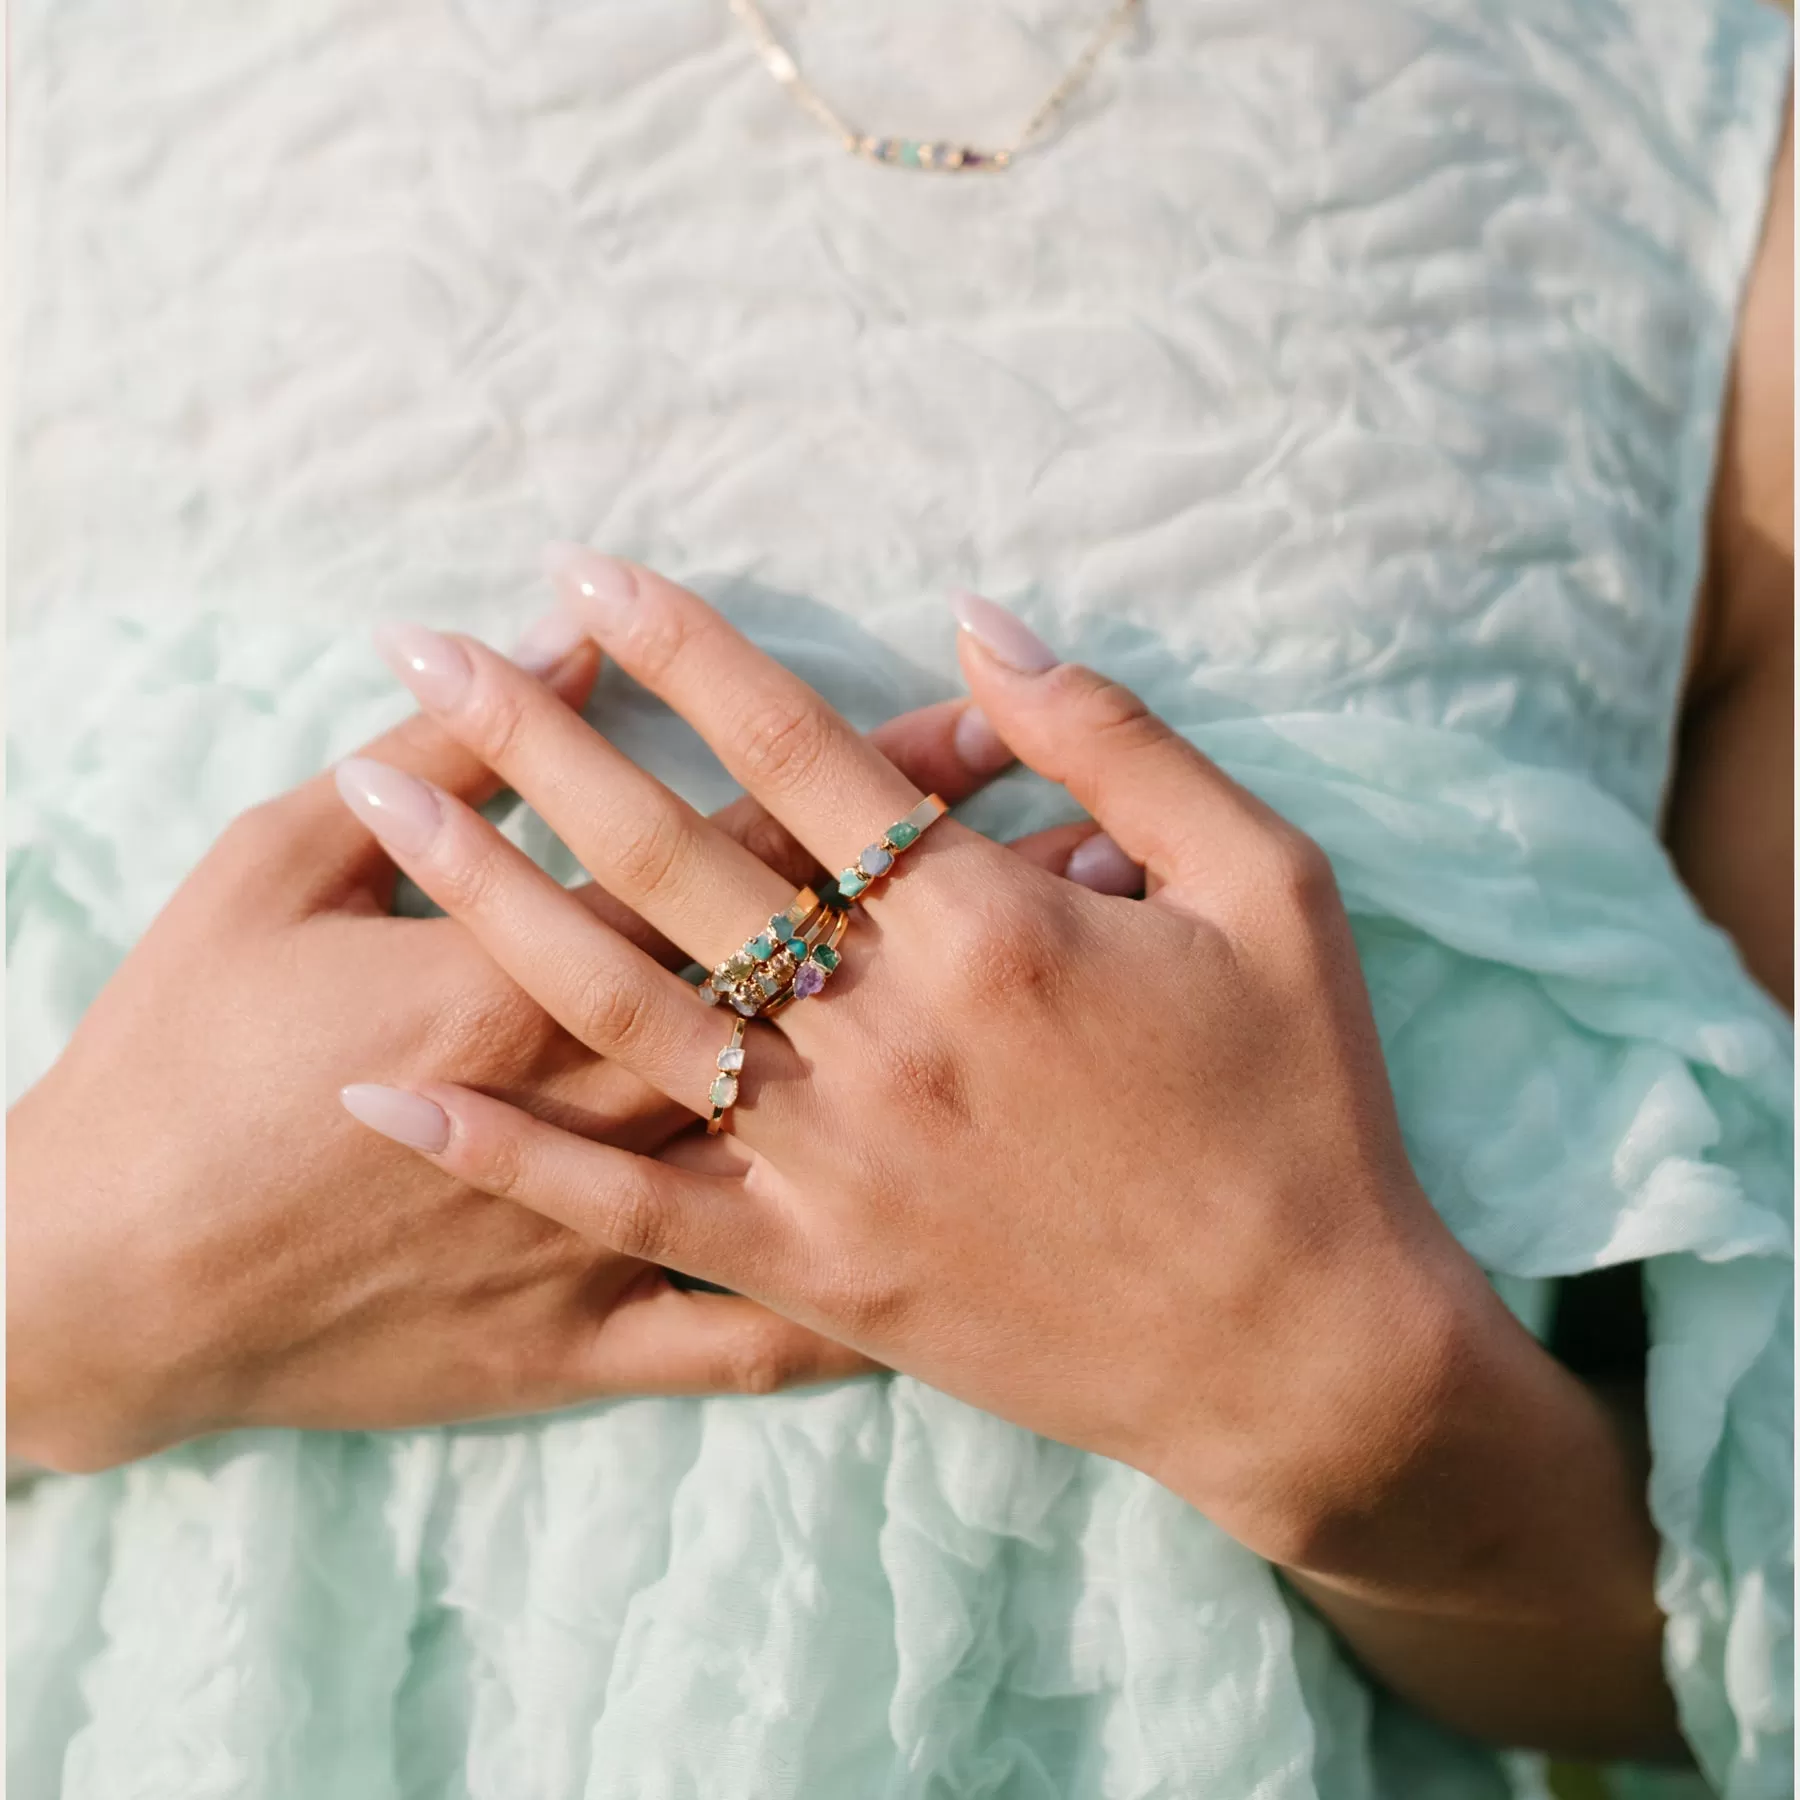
201 1239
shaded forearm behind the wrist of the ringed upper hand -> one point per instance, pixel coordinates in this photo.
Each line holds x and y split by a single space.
1506 1583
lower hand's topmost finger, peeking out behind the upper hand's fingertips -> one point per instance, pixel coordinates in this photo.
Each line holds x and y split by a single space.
321 856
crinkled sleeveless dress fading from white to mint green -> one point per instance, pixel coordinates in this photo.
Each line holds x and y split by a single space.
1345 379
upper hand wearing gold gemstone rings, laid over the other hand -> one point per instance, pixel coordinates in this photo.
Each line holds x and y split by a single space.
1124 1173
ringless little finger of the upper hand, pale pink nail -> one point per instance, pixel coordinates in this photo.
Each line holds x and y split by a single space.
708 1227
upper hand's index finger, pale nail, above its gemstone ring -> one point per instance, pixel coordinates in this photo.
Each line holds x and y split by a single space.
802 759
